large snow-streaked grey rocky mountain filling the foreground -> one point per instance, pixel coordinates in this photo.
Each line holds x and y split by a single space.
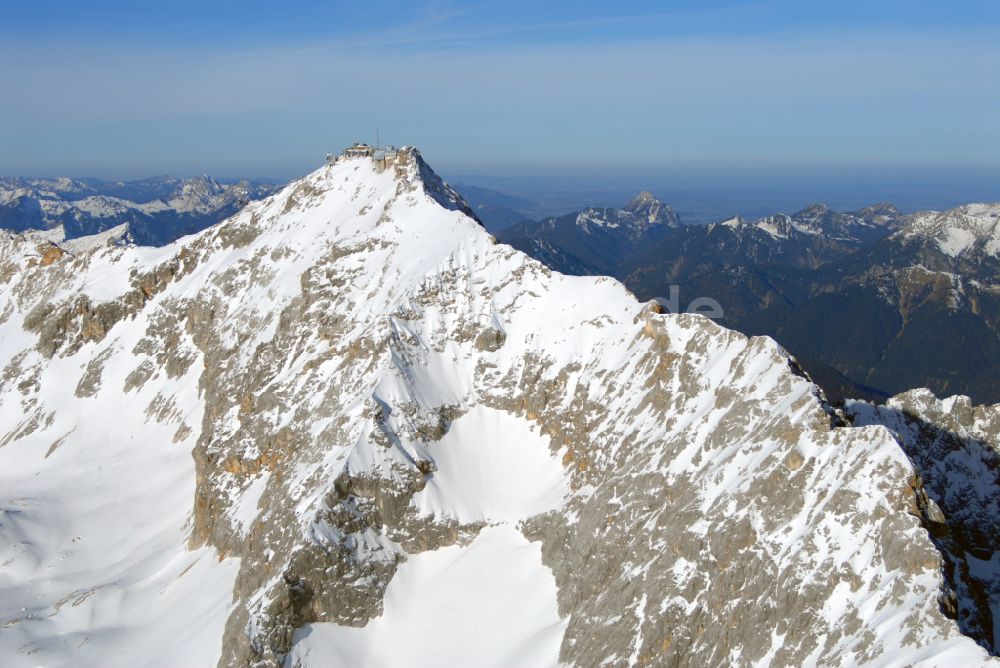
412 445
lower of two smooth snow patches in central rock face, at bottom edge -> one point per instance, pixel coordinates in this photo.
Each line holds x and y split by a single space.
491 604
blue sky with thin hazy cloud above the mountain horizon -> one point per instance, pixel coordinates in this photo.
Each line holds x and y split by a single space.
265 88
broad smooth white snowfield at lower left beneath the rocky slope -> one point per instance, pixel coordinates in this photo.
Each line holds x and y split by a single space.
94 514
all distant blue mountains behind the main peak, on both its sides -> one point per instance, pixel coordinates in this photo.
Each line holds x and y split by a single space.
873 302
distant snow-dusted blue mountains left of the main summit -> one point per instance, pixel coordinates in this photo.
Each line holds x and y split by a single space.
155 211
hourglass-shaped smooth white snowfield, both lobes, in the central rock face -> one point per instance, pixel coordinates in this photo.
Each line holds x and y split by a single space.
491 603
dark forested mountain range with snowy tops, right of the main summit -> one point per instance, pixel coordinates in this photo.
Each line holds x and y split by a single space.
873 302
